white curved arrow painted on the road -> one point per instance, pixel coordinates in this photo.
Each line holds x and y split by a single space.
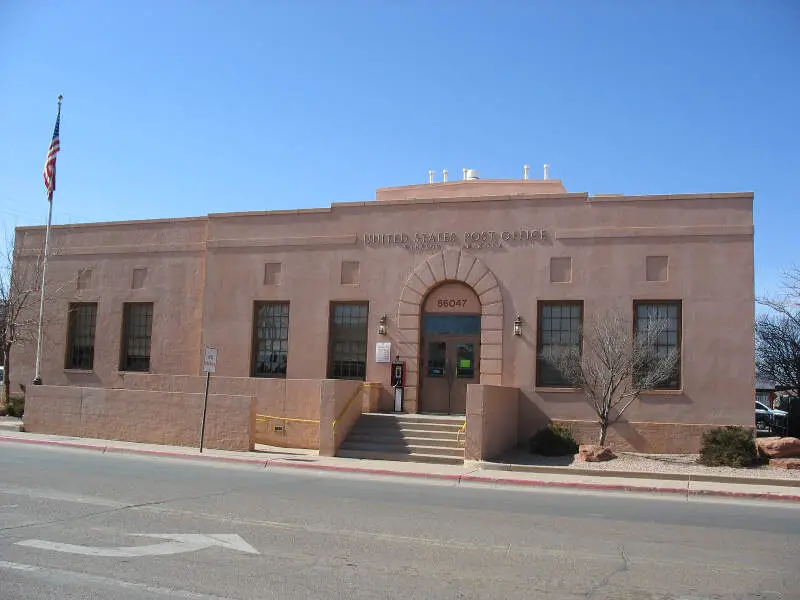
179 543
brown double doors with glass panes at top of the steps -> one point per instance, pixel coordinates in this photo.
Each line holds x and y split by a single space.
449 363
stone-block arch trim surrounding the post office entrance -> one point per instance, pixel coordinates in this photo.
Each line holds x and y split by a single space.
451 265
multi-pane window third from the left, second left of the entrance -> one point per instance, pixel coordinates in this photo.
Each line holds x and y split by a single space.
270 339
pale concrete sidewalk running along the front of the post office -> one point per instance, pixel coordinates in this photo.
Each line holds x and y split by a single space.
270 457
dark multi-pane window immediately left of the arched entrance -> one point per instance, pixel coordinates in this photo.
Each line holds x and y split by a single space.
347 349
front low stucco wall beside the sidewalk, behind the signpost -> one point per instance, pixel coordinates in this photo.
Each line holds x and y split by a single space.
150 417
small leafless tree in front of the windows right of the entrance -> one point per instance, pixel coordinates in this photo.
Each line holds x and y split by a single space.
613 365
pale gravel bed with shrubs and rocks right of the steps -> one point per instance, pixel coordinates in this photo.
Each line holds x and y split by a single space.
683 464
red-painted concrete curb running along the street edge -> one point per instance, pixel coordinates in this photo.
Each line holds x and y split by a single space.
458 478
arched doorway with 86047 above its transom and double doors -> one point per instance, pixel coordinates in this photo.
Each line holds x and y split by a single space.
450 336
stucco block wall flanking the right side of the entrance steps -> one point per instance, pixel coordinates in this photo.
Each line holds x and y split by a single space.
492 421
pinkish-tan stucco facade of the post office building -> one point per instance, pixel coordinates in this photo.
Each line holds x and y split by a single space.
206 273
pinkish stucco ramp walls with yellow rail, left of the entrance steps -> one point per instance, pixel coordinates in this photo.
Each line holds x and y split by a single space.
164 409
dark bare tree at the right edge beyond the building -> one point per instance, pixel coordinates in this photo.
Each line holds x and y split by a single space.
778 334
